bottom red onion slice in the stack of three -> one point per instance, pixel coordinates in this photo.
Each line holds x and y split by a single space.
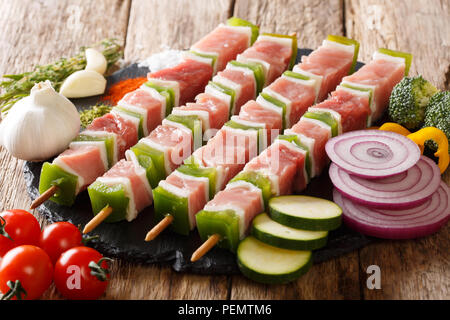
411 223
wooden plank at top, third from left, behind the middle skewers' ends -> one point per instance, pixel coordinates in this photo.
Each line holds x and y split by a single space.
313 20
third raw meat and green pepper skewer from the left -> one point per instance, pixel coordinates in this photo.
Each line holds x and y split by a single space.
281 104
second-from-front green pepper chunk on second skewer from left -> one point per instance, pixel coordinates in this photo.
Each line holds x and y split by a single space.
152 161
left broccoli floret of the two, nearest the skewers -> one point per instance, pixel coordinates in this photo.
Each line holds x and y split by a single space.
409 100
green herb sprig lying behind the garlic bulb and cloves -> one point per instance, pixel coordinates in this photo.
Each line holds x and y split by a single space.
18 86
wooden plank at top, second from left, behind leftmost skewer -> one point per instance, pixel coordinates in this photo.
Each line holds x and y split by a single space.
155 25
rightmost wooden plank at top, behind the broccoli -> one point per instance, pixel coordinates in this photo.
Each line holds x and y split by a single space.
416 26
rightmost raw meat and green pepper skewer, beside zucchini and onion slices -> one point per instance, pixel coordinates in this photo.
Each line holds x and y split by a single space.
299 155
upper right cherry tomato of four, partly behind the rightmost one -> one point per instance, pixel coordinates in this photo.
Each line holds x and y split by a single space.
59 237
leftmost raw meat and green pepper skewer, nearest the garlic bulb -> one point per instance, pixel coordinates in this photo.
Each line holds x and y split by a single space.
105 141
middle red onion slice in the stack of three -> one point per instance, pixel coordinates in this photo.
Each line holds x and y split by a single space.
405 190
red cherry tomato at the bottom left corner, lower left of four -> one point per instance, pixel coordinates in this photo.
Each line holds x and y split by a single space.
27 270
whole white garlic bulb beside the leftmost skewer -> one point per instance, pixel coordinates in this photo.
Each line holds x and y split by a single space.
41 125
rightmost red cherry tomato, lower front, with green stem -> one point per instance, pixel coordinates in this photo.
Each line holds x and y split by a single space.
81 273
